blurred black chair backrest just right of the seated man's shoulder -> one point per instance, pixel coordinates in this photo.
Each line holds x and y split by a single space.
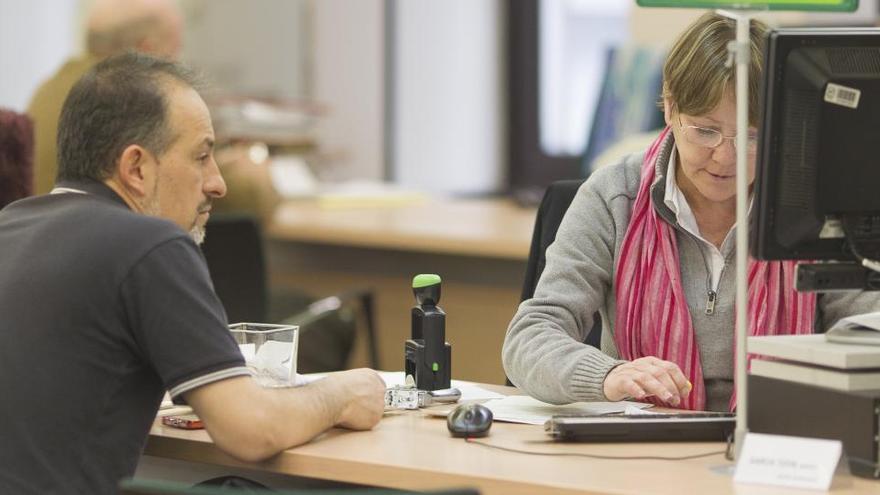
233 248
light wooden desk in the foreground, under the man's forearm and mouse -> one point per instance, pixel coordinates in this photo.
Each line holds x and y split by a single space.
409 450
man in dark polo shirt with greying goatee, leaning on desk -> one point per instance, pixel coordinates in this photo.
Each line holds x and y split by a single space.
106 302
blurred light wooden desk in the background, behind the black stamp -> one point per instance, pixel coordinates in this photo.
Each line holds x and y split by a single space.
478 247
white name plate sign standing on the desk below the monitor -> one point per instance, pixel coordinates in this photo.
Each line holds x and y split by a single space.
794 462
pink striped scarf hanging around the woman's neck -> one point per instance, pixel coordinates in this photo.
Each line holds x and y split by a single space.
652 314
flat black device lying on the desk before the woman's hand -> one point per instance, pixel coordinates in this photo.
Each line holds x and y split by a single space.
672 427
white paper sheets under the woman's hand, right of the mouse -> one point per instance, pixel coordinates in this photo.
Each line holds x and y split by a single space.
525 409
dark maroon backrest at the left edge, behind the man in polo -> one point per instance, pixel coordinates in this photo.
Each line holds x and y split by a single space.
16 156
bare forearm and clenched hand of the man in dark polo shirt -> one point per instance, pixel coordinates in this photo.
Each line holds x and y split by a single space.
253 423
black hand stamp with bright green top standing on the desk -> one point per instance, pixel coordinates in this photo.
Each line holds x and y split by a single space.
428 357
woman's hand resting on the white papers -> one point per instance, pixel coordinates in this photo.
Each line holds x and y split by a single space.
645 377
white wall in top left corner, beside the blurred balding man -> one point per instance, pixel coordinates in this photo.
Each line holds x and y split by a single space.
36 36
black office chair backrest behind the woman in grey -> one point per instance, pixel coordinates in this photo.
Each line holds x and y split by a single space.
555 203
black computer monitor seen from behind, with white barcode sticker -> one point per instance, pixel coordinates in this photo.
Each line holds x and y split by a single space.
818 166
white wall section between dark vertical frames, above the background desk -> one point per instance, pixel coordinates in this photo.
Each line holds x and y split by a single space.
448 122
